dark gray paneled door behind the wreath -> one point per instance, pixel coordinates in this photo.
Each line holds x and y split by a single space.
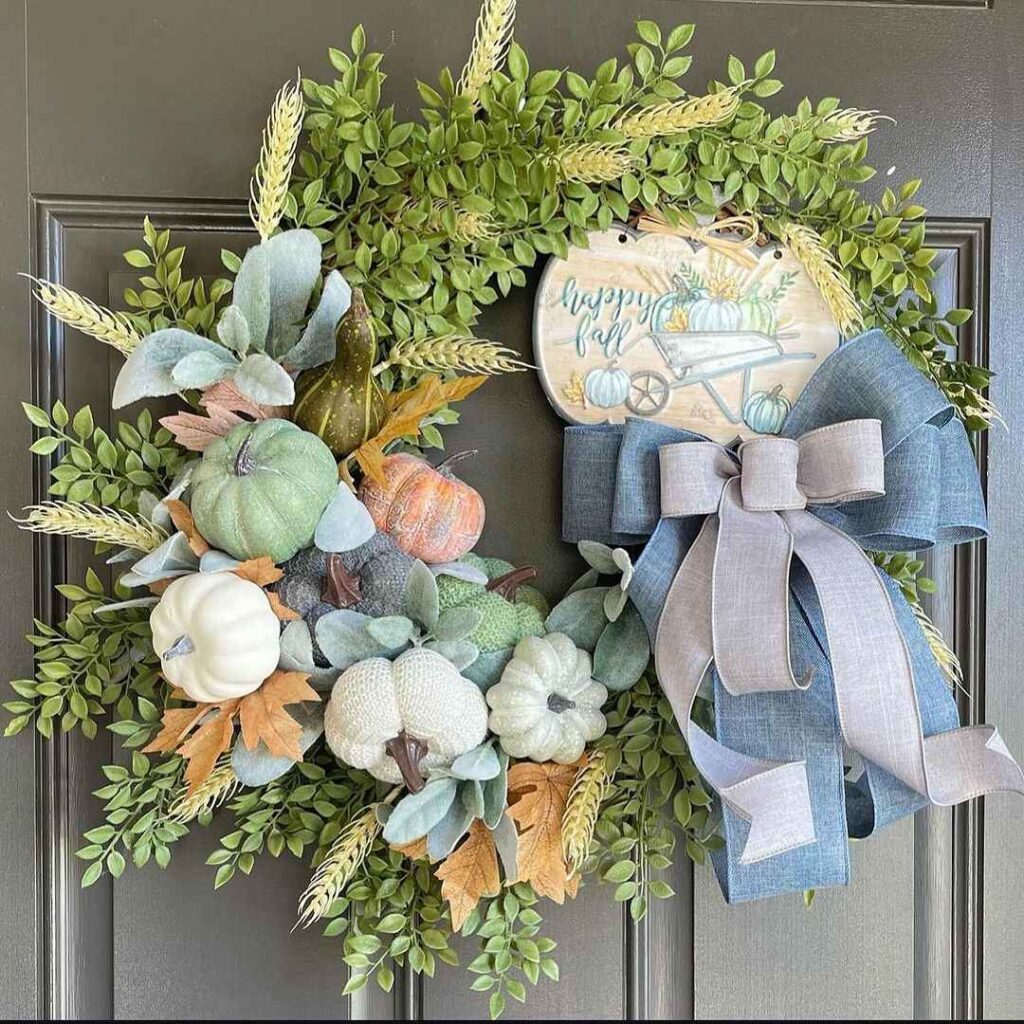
113 110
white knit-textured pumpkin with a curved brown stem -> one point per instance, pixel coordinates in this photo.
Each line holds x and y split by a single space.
401 719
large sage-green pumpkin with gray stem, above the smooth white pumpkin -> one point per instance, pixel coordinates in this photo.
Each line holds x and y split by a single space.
262 490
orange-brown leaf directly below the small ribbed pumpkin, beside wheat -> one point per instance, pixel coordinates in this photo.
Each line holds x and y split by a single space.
538 795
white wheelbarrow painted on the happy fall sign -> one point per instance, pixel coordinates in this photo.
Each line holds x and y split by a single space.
702 358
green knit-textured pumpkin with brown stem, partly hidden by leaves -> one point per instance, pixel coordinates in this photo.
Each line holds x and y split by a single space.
511 612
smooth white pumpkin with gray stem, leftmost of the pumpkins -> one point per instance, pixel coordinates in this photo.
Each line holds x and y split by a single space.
217 635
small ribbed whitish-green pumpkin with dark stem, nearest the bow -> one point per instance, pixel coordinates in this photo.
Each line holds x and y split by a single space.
546 706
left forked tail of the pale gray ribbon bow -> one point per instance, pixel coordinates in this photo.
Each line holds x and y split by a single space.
773 796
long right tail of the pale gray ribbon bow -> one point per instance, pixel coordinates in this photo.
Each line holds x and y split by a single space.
876 695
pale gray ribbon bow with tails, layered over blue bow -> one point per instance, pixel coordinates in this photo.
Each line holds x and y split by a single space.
729 605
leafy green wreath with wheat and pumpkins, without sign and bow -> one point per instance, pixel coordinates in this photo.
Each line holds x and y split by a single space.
301 627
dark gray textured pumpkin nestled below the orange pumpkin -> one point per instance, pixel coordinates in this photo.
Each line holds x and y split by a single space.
377 573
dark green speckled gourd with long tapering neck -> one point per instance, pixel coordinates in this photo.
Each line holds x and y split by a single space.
342 402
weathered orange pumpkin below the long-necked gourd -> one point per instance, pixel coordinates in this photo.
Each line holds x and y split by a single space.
429 513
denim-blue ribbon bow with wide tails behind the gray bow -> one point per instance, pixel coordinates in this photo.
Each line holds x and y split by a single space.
932 496
